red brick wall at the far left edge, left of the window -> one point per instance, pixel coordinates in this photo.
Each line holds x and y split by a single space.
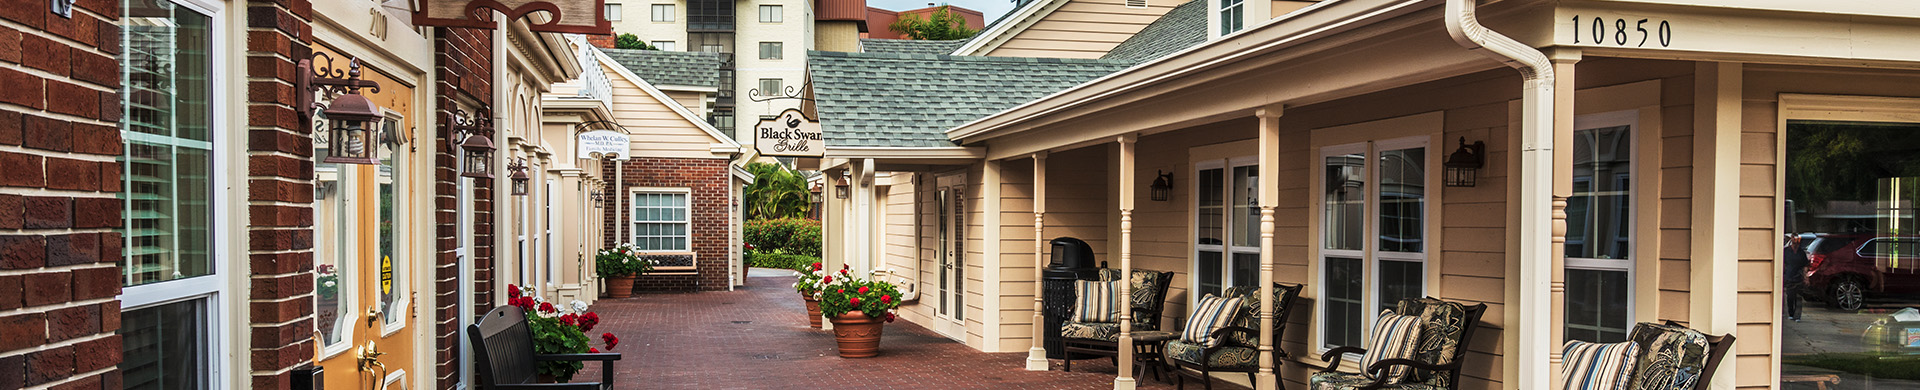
59 210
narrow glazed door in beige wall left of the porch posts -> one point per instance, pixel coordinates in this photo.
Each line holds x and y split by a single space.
951 216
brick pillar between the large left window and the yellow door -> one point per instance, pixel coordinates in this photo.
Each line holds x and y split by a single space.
279 195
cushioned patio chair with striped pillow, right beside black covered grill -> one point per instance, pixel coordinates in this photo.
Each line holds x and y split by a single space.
1088 341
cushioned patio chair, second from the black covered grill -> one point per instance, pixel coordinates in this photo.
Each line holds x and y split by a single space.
1241 349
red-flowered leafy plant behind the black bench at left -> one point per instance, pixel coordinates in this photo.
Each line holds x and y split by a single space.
560 333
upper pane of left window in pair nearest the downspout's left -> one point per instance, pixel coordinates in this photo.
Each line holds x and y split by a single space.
1347 205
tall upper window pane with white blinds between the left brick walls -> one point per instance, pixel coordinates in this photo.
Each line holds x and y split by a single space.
168 135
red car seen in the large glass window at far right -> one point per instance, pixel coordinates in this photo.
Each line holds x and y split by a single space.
1848 268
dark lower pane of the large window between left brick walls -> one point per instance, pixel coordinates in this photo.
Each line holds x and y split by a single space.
164 347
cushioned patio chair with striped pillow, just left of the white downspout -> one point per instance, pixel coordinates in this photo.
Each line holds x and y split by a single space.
1447 329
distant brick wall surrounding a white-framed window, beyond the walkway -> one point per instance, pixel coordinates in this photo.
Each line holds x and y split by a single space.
708 214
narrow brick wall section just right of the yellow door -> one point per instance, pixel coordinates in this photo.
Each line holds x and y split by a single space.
466 64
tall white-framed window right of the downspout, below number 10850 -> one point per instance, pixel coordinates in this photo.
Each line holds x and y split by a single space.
1600 230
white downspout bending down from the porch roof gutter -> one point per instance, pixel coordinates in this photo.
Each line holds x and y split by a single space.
1537 185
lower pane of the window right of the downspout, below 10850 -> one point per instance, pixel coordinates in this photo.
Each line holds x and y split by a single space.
1596 305
